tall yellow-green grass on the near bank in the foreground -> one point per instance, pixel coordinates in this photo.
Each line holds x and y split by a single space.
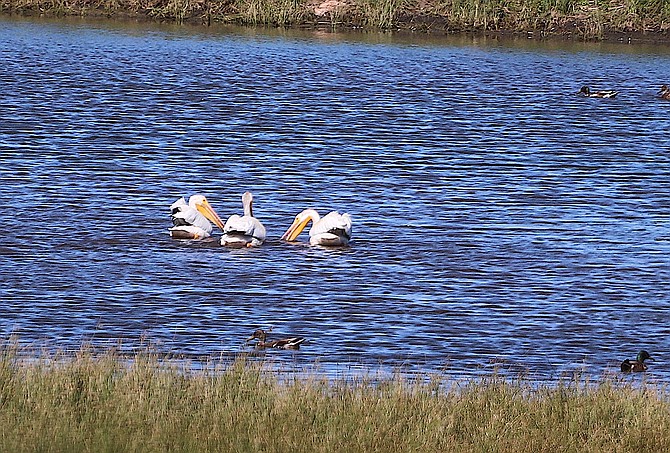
108 403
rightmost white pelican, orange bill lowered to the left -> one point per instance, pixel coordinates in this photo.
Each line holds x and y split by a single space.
333 229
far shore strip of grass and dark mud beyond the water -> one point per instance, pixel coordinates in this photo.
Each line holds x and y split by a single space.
577 19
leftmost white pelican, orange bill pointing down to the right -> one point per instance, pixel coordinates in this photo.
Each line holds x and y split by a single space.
191 221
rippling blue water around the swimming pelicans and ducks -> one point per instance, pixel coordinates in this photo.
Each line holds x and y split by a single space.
500 221
